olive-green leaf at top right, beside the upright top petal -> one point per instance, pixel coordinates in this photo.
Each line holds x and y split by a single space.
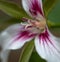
49 5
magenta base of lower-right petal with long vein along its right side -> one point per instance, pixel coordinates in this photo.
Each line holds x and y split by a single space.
45 36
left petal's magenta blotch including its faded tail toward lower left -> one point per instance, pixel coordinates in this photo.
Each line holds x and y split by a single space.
24 35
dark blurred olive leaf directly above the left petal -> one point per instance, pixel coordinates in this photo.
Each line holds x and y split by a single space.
8 22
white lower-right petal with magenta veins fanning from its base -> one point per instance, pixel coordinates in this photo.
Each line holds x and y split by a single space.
47 47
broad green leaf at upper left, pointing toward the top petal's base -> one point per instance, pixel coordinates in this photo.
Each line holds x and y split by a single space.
12 9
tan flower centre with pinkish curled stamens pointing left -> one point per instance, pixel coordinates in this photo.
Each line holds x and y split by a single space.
39 25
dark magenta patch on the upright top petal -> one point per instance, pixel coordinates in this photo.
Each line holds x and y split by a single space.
35 8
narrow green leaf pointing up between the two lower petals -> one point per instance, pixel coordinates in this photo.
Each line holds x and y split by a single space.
26 52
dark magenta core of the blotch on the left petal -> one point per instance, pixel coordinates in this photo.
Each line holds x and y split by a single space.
25 35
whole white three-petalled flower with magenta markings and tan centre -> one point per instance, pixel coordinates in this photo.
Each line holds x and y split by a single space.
15 36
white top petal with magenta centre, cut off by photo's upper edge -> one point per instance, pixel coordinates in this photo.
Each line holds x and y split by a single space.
33 7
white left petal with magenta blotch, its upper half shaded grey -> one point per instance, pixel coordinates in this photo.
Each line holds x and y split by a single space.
15 36
